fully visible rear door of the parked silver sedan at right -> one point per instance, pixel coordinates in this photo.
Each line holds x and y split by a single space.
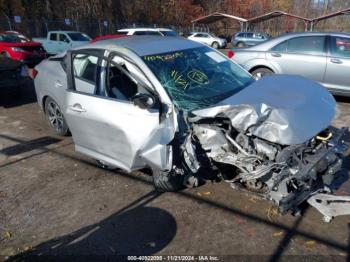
304 55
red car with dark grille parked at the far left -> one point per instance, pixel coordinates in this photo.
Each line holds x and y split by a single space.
18 47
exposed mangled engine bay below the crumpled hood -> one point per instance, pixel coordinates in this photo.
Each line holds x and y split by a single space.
285 174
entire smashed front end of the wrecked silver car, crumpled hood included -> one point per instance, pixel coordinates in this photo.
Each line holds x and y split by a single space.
279 148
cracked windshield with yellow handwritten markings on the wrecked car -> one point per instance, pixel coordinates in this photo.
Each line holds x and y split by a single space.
197 78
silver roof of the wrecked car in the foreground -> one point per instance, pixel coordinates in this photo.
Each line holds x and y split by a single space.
146 45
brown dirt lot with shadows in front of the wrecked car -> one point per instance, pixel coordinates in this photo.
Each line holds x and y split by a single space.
56 201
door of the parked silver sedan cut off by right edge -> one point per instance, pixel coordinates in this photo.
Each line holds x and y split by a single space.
338 65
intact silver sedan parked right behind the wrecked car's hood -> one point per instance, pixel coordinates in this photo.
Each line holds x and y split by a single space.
322 57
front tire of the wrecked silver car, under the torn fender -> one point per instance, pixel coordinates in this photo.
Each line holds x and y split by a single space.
167 181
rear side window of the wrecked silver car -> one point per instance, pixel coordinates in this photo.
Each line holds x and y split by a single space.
84 70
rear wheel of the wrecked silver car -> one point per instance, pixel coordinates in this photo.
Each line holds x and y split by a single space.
55 117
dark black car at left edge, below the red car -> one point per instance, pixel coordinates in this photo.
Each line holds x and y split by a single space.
12 74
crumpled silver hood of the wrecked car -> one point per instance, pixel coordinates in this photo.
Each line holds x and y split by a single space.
281 109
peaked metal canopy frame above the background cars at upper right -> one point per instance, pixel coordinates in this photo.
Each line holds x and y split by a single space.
309 23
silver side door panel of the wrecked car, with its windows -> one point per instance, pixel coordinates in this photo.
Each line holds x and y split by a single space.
104 122
